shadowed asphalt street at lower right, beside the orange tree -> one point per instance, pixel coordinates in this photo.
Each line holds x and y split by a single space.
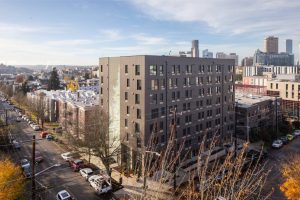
275 159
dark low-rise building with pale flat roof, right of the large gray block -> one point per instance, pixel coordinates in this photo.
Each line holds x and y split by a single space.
255 114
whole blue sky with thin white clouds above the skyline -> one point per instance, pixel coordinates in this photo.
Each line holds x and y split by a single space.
78 32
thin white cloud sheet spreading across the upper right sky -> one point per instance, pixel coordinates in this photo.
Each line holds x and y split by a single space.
228 17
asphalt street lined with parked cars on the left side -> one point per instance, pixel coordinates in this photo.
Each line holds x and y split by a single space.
50 182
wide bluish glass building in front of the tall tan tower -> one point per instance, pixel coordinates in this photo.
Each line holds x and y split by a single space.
278 59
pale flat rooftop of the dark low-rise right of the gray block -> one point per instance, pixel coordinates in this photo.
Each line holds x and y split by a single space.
248 100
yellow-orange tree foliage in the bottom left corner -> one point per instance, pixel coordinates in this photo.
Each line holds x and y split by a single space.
12 182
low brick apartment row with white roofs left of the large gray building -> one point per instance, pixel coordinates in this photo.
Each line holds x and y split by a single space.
73 110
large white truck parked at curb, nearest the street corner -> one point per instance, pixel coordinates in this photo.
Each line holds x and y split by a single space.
100 183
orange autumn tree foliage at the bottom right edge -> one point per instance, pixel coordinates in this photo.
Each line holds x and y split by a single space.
291 174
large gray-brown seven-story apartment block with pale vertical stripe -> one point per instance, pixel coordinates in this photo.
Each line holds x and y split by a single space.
139 93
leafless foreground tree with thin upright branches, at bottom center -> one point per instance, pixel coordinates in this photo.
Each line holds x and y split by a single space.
228 177
